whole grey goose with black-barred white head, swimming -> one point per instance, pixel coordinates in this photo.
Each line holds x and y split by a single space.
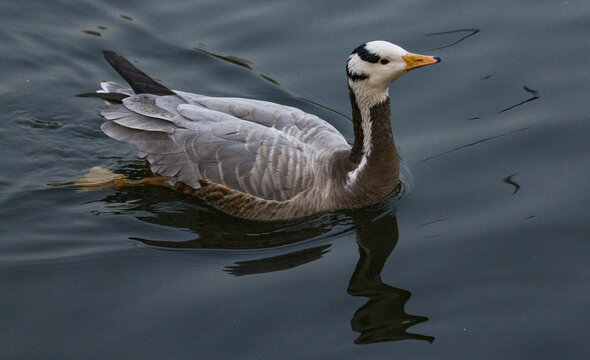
261 160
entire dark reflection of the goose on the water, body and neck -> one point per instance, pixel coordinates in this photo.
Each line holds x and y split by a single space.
381 318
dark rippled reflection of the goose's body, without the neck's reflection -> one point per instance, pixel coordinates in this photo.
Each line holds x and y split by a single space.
215 230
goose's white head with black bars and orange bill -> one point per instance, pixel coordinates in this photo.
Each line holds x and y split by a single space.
373 66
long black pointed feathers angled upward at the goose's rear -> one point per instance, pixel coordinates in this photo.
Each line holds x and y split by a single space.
137 79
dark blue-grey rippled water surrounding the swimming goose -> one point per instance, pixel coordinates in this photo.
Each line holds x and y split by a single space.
485 255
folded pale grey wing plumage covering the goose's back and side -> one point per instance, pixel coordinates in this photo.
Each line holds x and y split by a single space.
257 147
